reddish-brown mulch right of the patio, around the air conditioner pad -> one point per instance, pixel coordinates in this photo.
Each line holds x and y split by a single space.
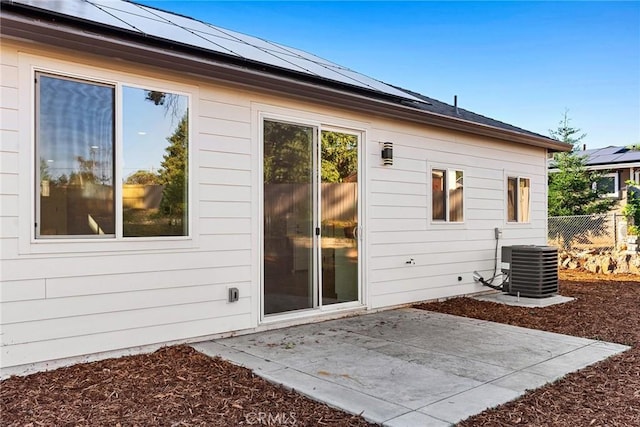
605 394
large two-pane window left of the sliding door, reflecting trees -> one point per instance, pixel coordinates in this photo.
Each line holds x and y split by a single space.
79 160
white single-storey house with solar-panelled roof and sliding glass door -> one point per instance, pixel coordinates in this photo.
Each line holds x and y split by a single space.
164 180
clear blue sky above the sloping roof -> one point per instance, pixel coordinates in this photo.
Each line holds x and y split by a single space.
520 62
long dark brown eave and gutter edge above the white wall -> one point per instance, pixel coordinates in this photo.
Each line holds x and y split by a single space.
210 66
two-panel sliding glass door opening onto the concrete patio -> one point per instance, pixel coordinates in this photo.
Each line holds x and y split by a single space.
310 231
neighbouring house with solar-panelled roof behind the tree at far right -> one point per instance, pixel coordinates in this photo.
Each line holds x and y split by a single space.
617 164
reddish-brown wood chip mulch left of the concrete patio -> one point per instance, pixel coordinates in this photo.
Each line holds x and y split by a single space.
175 386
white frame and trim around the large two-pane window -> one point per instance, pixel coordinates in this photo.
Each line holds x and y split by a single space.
29 242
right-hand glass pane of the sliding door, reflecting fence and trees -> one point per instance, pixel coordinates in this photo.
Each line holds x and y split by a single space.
339 217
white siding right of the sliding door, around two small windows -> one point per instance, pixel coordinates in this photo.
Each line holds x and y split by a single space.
443 255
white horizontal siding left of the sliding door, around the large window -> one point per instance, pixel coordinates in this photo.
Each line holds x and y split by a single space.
75 303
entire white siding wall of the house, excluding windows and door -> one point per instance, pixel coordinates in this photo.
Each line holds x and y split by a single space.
70 302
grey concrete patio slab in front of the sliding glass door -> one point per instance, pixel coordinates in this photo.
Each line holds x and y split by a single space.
410 367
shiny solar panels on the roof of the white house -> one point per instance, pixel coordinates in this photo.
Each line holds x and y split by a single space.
150 22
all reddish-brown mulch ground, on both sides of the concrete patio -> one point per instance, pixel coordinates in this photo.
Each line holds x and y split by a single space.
177 386
